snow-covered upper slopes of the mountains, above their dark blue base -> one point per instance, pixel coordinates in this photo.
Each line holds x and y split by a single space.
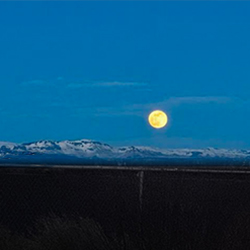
88 148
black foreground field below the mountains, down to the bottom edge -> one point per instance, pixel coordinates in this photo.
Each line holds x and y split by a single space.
117 208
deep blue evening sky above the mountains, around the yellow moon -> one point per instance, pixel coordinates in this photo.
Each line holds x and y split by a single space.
95 70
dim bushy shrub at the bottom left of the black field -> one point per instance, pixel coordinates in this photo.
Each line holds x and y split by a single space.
69 234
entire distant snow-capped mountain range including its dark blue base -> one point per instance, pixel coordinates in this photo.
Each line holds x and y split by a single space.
93 152
